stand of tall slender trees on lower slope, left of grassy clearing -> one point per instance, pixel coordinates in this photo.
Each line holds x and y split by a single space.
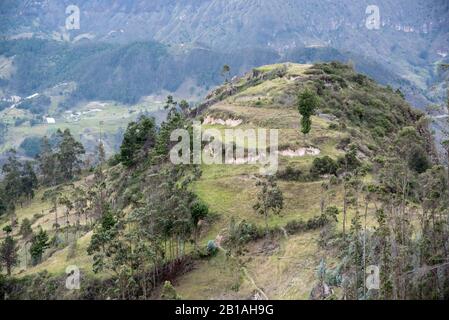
136 248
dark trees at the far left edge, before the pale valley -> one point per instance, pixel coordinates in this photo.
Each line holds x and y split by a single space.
57 163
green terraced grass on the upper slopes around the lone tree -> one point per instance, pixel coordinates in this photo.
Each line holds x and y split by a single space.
230 190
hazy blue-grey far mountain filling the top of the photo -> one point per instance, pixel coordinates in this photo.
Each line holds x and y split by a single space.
413 35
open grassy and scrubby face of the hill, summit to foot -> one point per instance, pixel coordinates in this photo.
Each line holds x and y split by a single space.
353 110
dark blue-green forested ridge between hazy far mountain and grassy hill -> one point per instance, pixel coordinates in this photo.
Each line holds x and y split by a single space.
126 72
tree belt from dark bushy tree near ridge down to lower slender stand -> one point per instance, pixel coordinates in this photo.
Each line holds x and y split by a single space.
165 219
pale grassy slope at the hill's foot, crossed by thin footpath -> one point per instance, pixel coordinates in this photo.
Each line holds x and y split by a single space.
287 273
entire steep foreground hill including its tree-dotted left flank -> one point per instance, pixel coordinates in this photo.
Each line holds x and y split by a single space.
355 125
